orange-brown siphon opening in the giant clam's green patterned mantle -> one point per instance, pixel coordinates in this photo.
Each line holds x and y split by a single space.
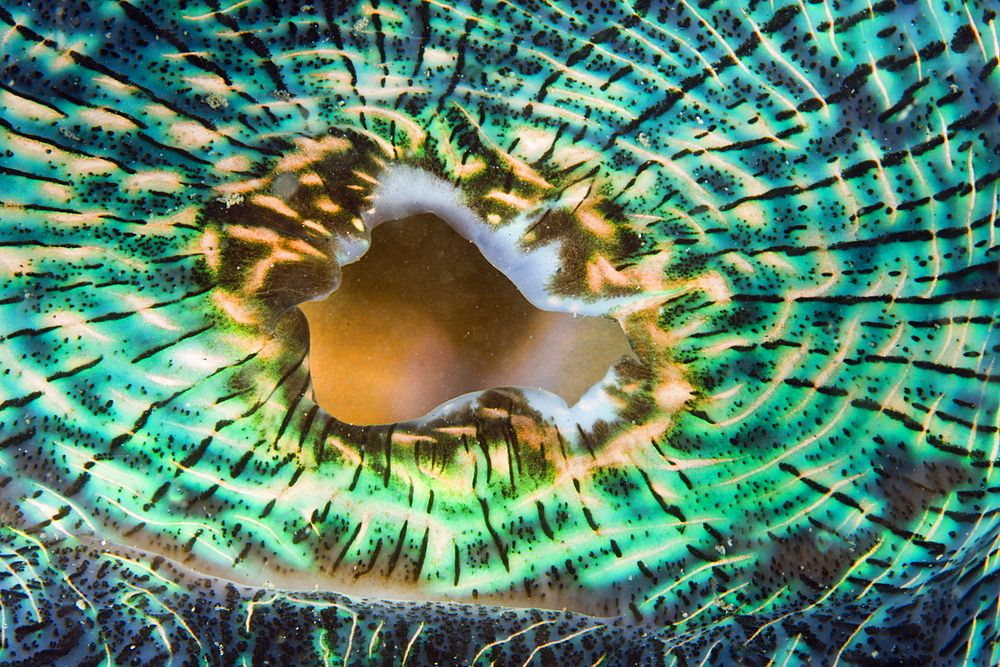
422 317
